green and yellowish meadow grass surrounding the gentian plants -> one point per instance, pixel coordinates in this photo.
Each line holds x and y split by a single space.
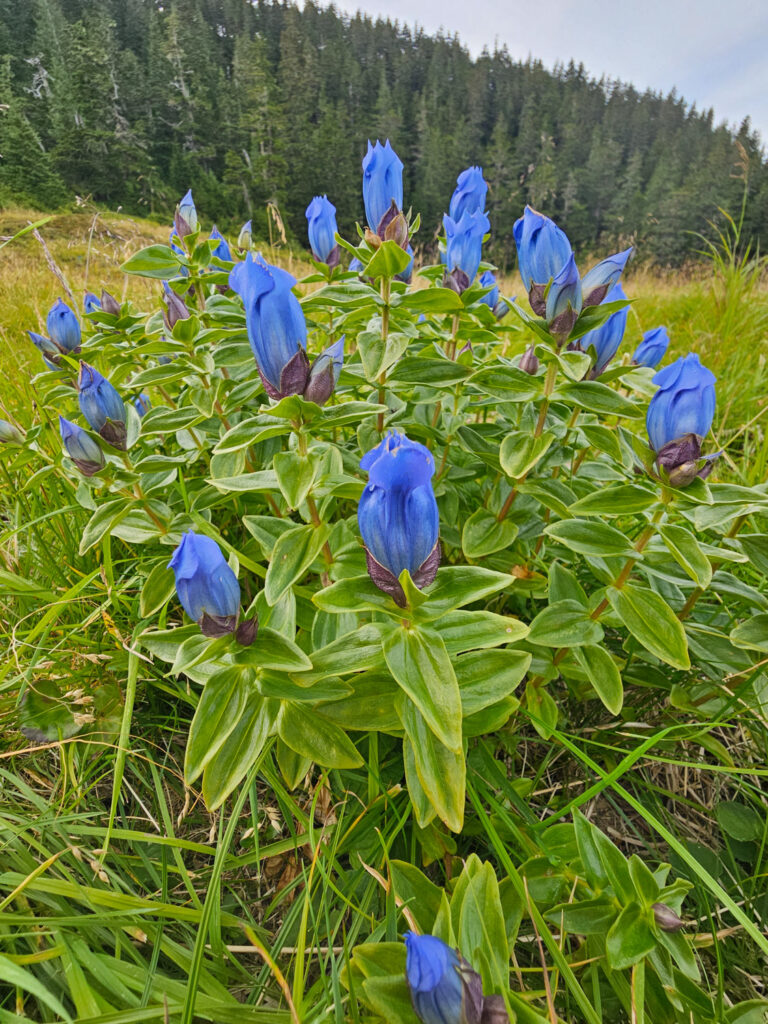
166 912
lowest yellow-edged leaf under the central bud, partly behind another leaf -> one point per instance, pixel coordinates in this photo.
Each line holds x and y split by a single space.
441 772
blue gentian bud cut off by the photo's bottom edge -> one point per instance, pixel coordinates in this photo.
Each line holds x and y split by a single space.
444 988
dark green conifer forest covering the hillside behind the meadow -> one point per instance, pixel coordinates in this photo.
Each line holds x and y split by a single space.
263 104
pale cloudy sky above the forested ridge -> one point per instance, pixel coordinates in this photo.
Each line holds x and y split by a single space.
714 53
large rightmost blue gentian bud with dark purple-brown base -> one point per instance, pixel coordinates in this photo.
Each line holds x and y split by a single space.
680 416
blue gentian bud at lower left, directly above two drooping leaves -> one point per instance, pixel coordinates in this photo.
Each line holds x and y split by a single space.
206 586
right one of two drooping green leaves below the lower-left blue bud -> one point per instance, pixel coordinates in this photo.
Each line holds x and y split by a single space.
244 745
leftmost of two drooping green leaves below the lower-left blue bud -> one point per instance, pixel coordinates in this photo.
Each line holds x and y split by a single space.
223 702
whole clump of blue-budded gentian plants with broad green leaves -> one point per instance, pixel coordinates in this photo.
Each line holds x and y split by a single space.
371 517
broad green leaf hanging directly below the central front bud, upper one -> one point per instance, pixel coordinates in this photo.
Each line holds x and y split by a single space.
420 664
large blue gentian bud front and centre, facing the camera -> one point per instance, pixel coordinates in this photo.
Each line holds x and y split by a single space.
398 516
